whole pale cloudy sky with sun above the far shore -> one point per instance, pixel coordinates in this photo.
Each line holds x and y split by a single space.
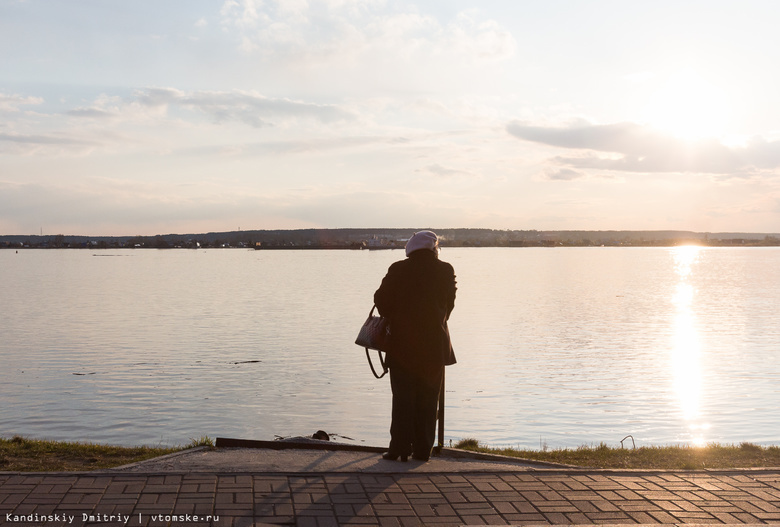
184 116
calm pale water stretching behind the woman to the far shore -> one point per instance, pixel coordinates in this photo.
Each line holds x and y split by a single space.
556 347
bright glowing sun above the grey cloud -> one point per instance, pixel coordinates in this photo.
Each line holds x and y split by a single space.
689 107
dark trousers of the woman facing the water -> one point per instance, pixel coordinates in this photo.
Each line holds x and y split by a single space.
415 408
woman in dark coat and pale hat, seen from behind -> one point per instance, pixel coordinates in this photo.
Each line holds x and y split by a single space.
417 296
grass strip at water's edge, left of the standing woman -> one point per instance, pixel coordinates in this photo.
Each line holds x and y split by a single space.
20 454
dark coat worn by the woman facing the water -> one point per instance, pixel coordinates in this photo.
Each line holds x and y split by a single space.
417 296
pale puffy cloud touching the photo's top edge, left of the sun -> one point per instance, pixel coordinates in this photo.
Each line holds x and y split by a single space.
349 28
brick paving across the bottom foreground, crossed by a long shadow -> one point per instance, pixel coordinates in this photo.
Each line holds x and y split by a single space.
532 497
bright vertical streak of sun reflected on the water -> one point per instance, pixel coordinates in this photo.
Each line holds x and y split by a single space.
686 350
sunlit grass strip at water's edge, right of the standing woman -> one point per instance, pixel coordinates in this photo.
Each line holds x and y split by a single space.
712 456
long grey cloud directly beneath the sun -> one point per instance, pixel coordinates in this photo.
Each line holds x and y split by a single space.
631 147
